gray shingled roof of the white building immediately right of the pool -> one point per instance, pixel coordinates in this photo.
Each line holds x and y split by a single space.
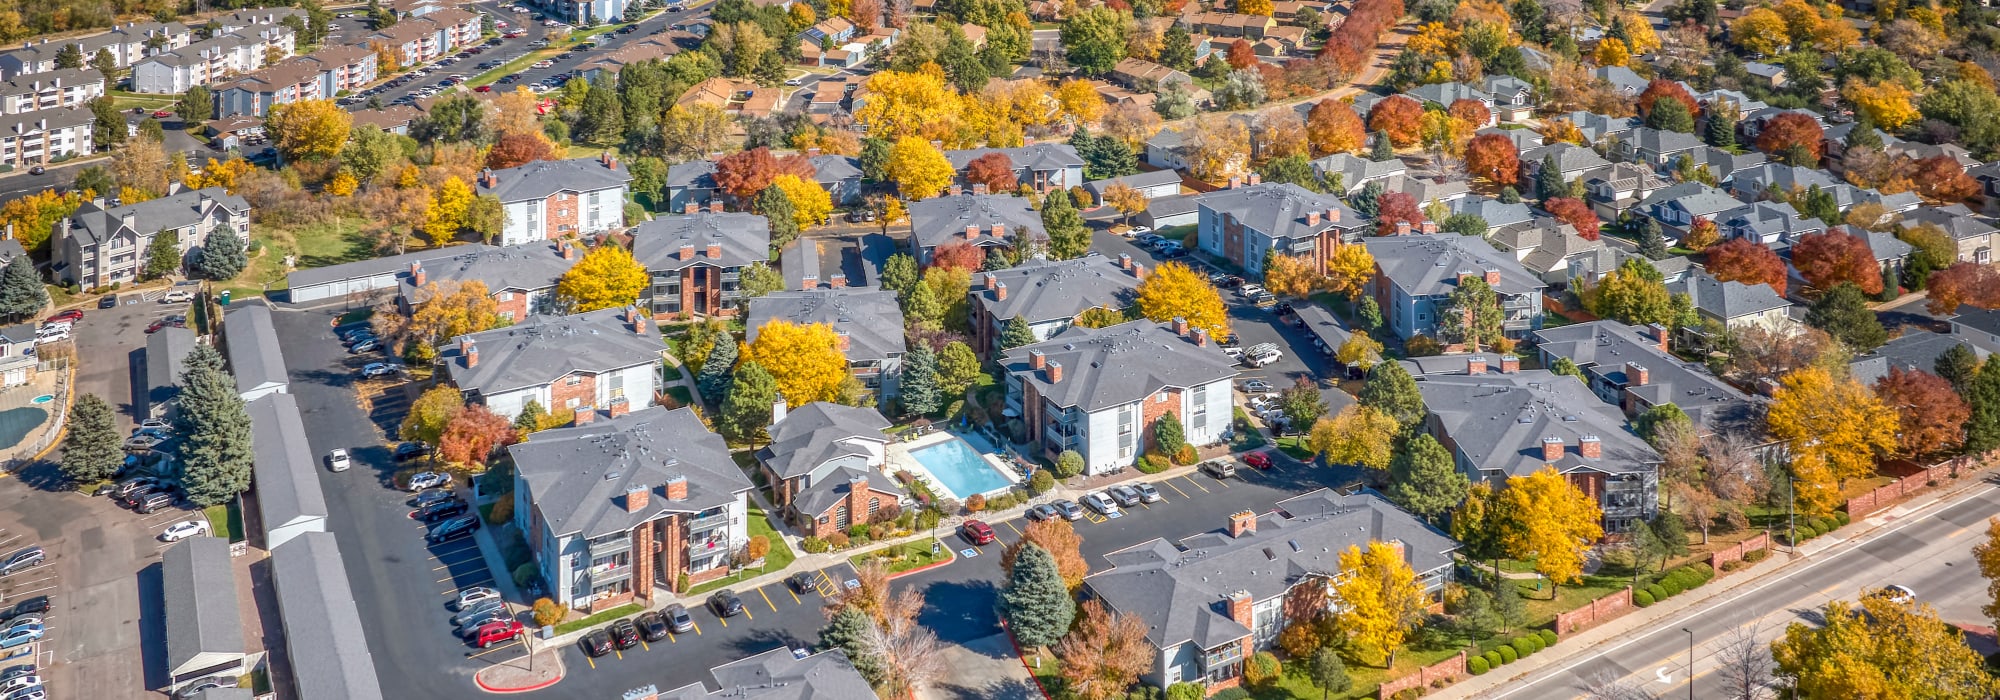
1119 365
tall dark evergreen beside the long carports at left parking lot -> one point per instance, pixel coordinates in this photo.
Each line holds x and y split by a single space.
217 449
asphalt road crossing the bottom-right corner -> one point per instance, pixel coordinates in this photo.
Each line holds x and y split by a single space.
1929 551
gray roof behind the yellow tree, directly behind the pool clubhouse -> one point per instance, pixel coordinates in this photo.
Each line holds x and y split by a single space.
871 319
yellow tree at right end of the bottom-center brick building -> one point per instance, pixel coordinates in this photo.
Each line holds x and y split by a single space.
1379 601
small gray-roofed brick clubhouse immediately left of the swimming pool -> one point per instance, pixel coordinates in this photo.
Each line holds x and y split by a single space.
825 467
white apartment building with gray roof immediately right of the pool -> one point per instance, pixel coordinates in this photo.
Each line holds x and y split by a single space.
1101 391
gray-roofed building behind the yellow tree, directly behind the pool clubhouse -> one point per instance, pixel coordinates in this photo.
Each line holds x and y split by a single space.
869 323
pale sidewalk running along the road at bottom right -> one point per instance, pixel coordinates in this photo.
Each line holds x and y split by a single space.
1581 645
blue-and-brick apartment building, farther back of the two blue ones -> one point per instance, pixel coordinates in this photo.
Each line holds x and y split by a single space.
1241 225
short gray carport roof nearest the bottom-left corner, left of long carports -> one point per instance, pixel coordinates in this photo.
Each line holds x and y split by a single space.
201 601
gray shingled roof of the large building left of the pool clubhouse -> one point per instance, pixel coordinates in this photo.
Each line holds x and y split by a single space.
579 477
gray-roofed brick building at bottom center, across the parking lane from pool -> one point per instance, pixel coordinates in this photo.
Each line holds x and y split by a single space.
1213 601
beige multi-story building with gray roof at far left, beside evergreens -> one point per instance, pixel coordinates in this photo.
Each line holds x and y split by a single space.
101 247
